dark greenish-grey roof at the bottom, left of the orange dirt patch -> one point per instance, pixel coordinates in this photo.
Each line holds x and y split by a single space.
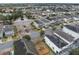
19 48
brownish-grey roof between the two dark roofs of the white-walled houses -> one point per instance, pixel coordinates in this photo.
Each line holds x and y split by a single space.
66 36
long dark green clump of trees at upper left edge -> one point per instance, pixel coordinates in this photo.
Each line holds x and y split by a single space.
9 18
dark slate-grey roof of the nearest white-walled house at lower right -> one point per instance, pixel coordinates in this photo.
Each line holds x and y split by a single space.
57 41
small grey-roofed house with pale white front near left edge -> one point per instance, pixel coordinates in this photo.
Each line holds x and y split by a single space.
8 30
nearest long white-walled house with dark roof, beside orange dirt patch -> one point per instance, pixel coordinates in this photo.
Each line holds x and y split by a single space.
55 42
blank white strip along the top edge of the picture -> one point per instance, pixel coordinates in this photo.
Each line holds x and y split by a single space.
39 1
